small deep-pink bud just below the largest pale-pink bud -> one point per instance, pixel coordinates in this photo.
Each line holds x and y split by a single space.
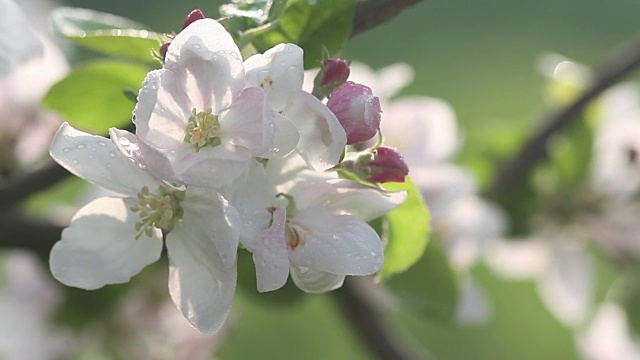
387 166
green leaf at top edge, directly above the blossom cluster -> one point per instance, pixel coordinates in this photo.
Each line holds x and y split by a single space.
311 24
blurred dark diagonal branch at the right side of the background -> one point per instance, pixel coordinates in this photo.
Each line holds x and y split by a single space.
535 150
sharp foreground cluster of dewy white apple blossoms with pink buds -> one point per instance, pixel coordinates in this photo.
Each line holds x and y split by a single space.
227 153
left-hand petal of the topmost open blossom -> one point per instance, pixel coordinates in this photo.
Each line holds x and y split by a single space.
163 110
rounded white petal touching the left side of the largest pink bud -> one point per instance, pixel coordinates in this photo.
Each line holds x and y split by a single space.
322 138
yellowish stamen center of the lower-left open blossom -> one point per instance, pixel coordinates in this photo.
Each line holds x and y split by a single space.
157 210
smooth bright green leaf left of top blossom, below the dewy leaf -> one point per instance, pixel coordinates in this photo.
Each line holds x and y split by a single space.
91 97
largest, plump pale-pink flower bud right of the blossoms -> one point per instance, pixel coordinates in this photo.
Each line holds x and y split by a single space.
357 109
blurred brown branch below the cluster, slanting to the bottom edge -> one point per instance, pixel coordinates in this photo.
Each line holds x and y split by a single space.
367 321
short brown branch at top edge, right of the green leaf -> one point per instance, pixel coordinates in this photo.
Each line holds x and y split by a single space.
371 13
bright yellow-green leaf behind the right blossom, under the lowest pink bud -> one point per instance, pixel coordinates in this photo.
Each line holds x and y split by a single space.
408 230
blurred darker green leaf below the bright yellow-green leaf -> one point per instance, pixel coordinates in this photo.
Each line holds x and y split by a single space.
428 288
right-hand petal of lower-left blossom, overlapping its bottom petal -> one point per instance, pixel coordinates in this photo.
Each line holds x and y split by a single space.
207 215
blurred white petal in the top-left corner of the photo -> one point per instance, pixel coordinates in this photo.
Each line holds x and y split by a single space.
18 42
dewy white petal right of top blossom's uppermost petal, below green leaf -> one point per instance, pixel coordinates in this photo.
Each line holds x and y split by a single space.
279 71
